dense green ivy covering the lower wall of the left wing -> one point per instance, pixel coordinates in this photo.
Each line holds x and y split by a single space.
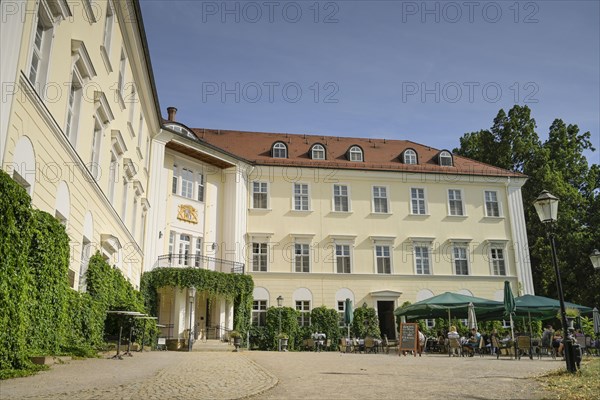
39 313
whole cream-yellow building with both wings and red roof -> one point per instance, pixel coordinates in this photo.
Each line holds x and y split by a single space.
314 219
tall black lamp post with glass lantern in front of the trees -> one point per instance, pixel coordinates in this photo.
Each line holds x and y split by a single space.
546 206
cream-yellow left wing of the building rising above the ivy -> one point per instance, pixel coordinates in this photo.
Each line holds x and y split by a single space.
78 111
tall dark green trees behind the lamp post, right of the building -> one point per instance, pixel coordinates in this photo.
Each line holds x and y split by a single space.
559 166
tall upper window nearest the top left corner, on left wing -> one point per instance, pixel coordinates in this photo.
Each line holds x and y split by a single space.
42 42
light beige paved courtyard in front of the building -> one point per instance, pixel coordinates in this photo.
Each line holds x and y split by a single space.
272 375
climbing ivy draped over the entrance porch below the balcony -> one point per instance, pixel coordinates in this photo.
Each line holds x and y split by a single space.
234 287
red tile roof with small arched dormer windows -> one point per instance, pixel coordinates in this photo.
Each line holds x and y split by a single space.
379 154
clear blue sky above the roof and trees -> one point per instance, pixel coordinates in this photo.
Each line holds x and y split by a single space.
421 71
